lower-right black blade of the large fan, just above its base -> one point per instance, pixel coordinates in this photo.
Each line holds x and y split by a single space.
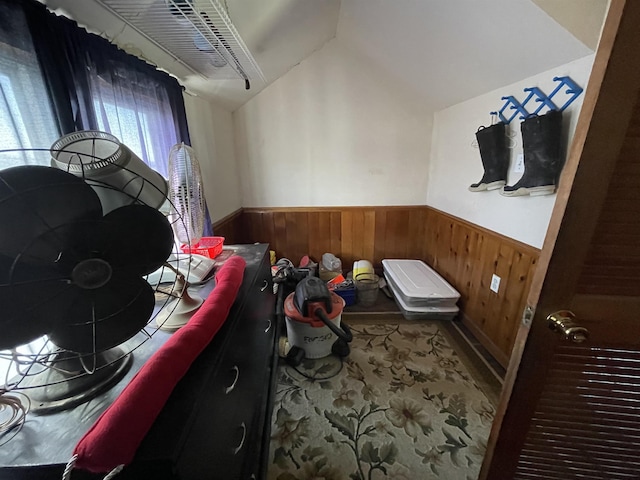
120 308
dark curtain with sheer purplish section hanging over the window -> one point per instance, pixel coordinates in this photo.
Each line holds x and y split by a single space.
93 85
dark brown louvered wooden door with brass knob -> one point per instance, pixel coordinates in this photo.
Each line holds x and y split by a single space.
571 409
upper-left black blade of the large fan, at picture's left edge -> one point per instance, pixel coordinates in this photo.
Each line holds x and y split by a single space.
35 200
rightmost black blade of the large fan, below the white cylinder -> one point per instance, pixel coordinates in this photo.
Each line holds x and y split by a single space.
140 239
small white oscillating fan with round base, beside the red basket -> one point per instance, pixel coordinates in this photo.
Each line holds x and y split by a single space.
186 200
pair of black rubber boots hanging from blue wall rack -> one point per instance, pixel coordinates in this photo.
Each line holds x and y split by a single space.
541 144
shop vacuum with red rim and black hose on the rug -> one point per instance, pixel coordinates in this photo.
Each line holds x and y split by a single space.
313 320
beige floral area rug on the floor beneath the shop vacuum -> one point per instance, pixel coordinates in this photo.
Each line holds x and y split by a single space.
400 406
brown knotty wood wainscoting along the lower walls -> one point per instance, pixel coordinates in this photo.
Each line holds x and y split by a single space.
466 255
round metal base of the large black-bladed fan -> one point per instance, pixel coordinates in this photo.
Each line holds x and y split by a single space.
64 384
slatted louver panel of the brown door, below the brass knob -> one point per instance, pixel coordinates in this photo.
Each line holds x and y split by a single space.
586 421
